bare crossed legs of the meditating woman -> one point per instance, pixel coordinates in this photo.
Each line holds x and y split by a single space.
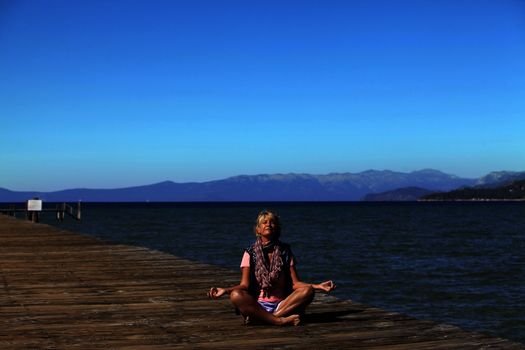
287 313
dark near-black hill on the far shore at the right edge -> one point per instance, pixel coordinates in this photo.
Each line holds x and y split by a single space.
513 191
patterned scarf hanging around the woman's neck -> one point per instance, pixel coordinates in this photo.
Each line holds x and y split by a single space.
267 275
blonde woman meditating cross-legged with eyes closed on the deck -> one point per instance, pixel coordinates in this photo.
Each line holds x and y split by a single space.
270 290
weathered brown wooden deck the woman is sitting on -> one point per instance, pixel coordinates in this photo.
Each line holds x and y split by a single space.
62 290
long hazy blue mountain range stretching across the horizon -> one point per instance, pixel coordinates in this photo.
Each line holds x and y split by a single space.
276 187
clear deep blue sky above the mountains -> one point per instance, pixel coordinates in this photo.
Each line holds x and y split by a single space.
106 94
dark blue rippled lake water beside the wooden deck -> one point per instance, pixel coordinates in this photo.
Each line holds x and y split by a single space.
457 263
